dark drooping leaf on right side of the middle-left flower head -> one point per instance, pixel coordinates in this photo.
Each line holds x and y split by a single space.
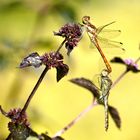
62 70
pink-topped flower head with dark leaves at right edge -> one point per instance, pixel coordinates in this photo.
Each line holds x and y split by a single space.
130 64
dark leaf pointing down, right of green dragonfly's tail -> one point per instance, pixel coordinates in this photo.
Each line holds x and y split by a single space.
115 116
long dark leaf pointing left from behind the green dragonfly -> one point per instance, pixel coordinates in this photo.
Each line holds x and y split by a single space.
87 84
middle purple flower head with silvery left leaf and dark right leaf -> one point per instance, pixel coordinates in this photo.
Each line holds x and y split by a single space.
50 60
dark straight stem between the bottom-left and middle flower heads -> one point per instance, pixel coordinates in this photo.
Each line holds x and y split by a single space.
34 89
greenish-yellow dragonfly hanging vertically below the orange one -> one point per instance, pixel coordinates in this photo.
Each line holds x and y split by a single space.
105 86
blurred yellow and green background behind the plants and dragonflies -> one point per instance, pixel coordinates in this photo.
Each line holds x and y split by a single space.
27 26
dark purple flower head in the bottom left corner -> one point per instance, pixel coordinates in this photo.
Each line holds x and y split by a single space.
19 125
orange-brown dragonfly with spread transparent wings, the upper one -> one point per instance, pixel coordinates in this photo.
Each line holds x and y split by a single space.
94 35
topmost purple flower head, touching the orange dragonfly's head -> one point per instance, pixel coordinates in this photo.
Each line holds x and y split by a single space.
72 33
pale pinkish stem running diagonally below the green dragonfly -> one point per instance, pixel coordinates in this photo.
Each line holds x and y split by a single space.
67 127
